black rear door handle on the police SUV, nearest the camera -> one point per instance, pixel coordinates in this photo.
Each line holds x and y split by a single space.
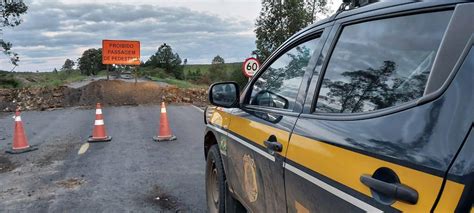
396 191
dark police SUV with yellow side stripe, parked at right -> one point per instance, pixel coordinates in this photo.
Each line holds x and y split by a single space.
369 110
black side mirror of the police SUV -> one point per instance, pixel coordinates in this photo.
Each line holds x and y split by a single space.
224 94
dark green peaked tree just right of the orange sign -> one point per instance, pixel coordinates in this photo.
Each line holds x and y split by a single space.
165 58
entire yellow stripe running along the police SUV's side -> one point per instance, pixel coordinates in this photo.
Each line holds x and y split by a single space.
345 166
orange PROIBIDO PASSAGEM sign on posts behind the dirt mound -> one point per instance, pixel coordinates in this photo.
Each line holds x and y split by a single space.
120 52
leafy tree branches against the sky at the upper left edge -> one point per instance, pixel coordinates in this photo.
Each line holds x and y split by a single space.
10 12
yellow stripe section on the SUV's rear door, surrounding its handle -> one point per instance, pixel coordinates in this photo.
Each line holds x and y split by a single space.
346 167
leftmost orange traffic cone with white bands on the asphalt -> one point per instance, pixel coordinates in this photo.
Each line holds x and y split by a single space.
20 142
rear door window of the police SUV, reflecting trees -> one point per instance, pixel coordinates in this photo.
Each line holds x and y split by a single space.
381 63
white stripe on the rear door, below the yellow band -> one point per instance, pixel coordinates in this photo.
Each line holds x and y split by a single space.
354 201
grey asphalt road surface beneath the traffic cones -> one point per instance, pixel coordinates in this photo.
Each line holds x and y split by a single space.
130 174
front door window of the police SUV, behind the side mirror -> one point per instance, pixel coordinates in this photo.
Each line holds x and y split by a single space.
278 85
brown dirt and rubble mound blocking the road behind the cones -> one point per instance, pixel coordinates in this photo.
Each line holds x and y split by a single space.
113 92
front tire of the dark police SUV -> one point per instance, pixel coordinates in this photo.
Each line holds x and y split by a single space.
215 181
